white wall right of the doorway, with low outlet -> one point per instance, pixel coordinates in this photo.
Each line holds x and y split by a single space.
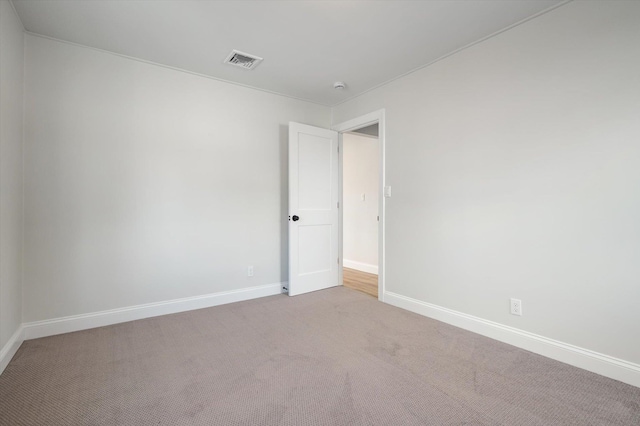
515 169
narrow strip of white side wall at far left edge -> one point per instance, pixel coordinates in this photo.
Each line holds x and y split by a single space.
11 74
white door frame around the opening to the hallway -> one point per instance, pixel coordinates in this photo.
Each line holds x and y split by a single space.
347 126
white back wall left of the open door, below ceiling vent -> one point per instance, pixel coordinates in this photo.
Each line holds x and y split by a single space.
147 184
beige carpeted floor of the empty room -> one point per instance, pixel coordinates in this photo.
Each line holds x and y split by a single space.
333 357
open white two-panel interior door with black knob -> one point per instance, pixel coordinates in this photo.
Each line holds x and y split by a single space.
313 209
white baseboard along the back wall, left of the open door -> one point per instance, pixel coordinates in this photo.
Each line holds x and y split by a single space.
37 329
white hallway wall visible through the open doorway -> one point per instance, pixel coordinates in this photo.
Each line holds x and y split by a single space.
360 224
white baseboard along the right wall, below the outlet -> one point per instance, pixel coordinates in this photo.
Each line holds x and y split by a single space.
586 359
